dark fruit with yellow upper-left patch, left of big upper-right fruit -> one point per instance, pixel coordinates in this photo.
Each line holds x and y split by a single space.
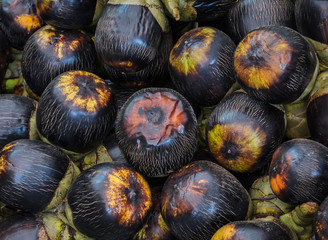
201 65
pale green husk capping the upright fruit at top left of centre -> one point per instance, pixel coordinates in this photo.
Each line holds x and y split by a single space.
155 7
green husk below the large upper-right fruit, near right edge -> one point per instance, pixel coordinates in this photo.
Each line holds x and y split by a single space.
297 126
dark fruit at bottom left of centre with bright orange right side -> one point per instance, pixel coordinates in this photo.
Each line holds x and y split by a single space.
109 201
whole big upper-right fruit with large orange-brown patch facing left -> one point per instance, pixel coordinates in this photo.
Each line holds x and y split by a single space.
276 64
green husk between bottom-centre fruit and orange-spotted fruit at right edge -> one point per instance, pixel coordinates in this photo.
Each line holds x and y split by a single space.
265 202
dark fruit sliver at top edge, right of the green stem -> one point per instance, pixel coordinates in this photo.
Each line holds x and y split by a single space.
214 10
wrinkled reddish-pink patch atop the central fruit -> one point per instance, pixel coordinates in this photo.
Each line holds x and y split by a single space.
155 117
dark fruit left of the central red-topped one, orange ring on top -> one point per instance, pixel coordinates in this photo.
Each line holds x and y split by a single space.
76 111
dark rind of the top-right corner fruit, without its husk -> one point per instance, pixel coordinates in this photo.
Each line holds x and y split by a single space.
311 19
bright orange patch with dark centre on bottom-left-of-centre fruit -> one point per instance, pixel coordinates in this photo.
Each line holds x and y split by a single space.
128 196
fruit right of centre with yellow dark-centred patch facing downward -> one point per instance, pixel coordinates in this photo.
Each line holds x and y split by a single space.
242 132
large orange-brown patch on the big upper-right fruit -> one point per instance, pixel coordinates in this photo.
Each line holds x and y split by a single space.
261 58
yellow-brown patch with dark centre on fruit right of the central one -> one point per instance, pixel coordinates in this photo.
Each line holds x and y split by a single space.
236 146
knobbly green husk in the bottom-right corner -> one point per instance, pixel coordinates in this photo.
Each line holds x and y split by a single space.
300 220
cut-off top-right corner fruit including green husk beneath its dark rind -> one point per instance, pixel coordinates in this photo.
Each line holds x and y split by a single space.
311 20
